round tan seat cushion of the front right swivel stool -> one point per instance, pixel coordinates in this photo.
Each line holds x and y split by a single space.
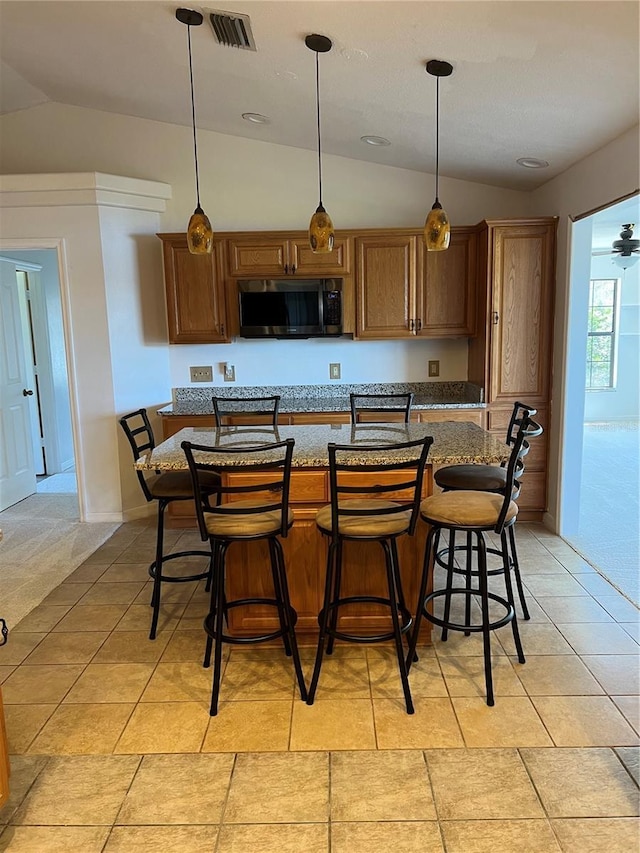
466 509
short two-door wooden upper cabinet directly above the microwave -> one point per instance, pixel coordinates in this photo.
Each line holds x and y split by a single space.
268 254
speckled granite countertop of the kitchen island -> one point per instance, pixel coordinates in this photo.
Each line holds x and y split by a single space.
452 442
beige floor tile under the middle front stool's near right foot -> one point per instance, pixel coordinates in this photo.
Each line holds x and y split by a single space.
433 724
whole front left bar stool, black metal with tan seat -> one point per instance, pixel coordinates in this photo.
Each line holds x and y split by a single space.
264 515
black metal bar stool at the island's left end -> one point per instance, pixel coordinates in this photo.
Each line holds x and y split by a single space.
164 488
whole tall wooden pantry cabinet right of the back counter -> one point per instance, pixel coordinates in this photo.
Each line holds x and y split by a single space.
510 357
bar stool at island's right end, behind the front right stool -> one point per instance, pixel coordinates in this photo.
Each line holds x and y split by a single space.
491 478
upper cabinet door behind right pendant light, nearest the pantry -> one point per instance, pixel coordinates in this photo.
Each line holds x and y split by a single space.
448 295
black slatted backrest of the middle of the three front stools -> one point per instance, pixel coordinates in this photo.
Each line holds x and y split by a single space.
409 457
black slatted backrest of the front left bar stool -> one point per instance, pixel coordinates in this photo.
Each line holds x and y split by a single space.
269 483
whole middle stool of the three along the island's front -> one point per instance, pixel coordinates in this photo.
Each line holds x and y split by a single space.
360 510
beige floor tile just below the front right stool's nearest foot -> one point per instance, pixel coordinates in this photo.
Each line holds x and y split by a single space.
512 721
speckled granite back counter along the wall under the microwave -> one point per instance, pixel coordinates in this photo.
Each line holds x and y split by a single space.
329 398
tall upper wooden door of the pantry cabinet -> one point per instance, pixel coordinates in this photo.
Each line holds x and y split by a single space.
521 320
